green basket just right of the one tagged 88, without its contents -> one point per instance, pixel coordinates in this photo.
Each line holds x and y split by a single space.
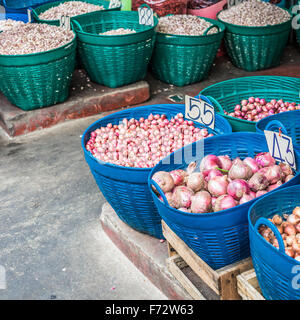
181 60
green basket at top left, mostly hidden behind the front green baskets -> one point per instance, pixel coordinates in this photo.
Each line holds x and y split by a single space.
40 9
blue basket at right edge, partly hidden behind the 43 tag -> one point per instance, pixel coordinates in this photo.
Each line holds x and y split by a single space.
289 122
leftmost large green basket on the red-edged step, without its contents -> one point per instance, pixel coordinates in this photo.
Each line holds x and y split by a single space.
38 80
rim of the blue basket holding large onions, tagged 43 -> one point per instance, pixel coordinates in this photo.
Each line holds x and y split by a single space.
218 213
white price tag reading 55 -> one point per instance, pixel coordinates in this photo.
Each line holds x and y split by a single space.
199 111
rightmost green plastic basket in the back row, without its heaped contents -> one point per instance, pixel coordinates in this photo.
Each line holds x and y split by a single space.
256 48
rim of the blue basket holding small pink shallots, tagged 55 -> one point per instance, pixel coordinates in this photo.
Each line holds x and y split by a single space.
89 154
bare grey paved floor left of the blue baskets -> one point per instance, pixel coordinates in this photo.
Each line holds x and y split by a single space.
51 242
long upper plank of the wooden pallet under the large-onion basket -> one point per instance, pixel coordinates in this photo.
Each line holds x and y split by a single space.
202 269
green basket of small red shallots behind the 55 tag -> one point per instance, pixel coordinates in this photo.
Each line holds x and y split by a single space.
244 101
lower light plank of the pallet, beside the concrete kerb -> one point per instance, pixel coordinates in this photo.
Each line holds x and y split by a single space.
173 264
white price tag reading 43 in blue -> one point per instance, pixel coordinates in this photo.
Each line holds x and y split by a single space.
281 147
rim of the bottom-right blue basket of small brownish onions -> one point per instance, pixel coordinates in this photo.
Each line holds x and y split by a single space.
271 247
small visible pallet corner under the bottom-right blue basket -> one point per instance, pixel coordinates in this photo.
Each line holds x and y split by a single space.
248 287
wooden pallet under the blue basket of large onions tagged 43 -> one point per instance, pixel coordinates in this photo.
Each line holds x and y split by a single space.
222 281
